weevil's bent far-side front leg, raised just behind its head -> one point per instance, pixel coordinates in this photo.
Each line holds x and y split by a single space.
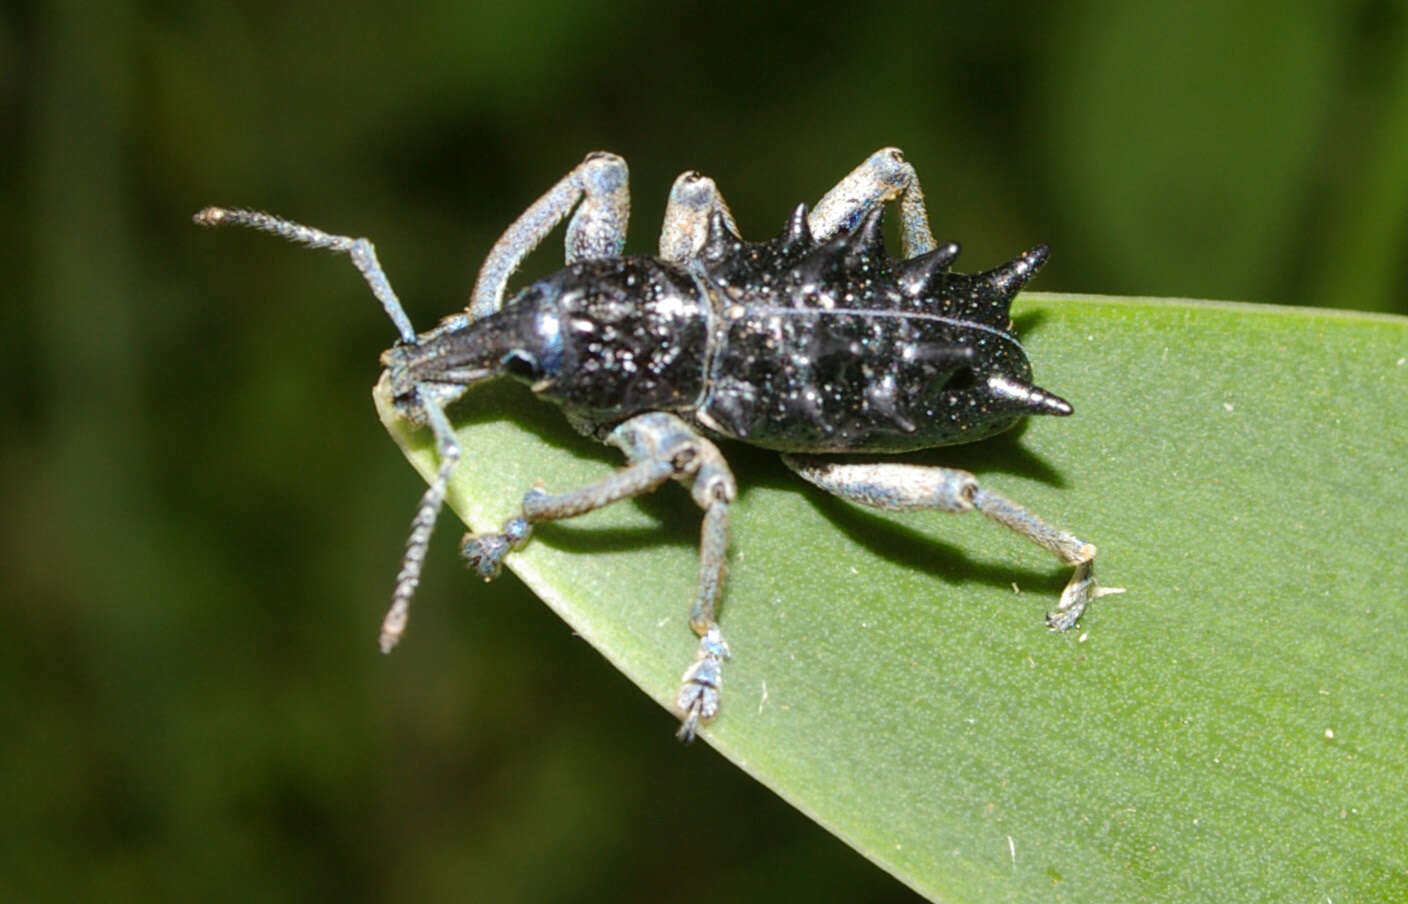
599 188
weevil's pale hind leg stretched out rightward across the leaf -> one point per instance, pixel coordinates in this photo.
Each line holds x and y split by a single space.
903 488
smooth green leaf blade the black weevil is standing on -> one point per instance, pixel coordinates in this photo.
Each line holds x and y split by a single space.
1231 729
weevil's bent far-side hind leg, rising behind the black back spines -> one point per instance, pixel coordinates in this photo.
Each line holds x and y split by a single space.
885 177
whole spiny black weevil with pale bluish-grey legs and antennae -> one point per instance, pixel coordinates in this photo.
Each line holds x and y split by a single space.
816 344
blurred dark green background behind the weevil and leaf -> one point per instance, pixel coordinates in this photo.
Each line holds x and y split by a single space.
202 517
